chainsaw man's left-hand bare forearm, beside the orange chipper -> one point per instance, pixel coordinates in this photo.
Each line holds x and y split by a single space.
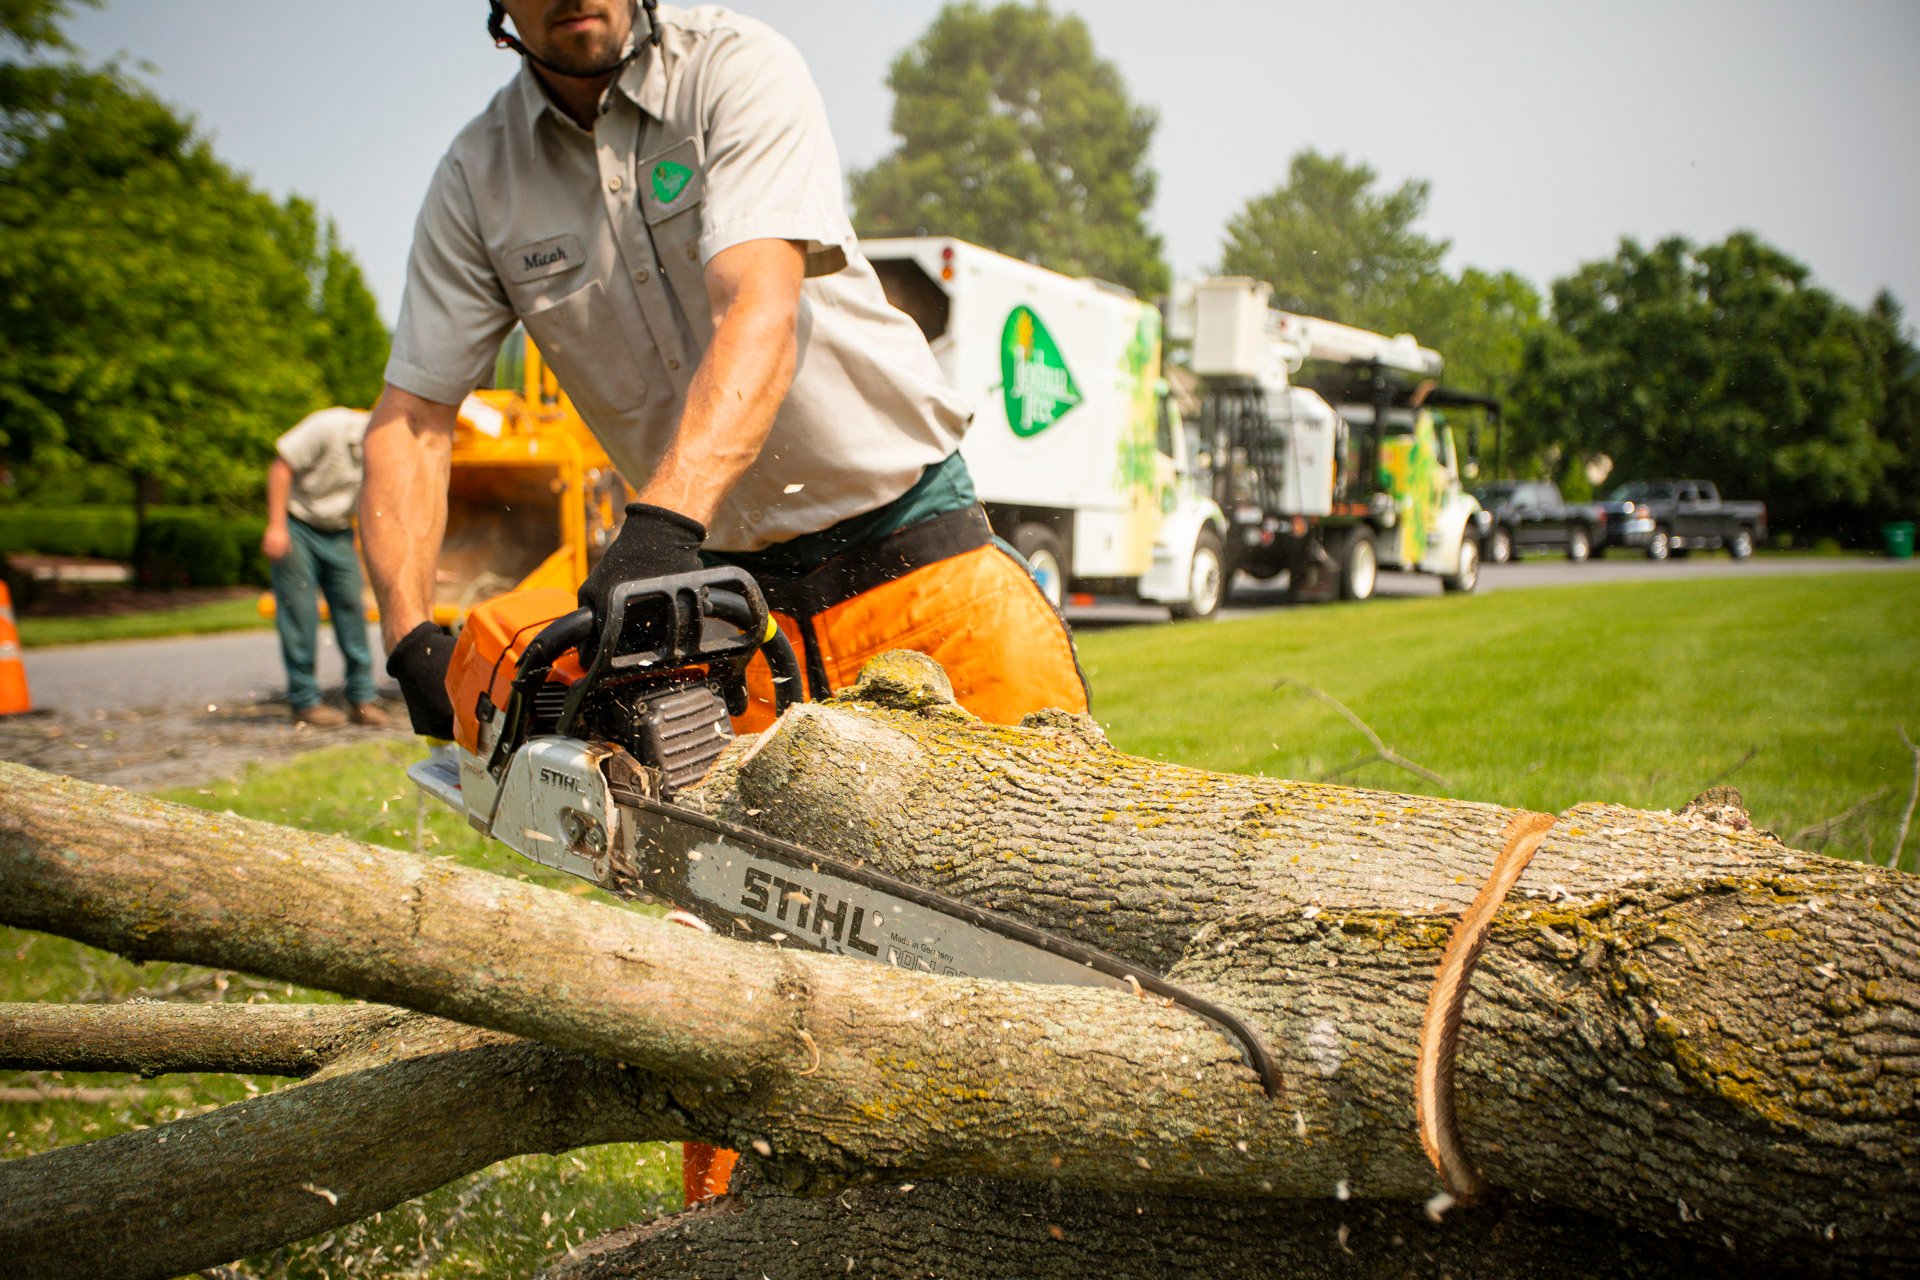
404 506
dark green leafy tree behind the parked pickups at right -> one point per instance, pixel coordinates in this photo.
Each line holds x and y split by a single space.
1719 362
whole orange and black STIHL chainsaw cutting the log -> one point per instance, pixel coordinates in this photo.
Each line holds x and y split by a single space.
575 734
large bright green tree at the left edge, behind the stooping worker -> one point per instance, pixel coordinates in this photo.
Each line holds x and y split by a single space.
160 318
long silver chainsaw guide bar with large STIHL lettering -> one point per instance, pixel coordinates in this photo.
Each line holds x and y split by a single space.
773 891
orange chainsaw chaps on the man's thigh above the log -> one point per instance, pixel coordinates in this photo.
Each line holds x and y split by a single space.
980 615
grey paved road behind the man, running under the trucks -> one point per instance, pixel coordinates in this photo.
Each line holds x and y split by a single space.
245 669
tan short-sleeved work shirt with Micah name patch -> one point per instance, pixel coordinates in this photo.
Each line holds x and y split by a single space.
598 243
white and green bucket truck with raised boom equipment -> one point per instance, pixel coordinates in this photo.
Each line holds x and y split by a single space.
1326 492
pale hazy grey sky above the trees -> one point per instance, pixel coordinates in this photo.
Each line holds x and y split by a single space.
1548 131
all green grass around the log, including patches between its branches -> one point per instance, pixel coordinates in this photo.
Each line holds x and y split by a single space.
1641 694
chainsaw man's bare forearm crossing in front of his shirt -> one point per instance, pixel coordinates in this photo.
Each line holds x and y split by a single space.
742 381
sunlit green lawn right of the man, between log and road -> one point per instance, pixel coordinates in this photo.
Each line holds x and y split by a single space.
1639 694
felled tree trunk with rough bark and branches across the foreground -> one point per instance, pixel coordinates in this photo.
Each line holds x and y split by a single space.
1685 1047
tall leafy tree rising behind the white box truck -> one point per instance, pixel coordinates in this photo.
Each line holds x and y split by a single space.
1017 135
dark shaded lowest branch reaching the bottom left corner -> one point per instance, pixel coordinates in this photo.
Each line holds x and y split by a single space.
410 1106
